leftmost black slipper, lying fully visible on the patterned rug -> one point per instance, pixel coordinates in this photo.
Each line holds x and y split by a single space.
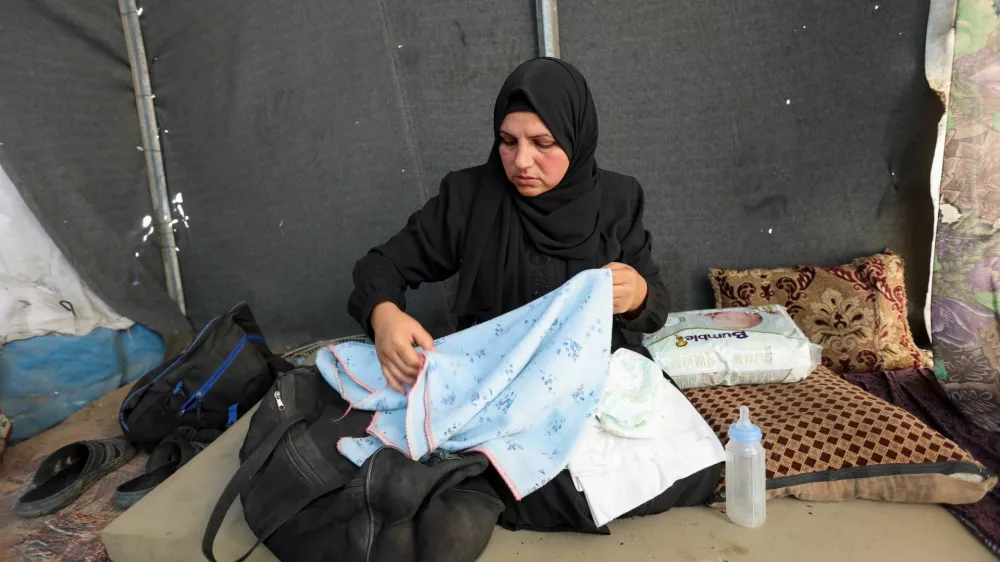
67 473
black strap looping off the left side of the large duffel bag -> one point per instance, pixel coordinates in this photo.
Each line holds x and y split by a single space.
243 477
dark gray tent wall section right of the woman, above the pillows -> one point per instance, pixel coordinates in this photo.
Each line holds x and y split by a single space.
767 133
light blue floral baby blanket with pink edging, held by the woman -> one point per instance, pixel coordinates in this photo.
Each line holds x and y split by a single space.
518 389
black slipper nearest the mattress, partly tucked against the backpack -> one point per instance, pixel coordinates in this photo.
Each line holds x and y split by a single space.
173 452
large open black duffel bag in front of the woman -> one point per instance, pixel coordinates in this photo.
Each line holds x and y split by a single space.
306 502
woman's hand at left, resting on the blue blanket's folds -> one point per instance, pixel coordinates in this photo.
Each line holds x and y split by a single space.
396 332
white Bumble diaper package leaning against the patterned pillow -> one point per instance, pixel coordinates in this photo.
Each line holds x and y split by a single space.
727 347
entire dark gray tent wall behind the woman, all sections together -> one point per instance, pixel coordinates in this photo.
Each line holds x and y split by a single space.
299 134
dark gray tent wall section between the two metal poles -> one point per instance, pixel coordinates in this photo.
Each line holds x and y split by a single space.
301 134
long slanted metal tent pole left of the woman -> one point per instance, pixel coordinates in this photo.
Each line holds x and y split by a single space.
151 148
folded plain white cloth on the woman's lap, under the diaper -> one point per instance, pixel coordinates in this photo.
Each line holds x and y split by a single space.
618 474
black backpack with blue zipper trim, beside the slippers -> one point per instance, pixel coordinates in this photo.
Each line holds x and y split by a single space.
219 377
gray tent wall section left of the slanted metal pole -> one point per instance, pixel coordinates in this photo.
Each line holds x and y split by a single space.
69 144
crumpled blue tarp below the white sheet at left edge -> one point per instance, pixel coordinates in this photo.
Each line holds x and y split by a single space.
45 379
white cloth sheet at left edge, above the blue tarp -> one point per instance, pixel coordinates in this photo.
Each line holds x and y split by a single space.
35 277
